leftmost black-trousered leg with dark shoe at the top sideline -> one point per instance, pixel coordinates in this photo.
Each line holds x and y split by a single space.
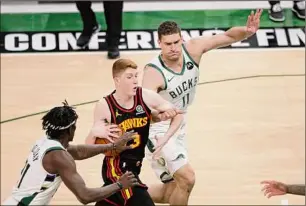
90 25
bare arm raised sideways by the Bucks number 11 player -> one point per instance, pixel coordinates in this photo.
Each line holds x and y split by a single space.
203 44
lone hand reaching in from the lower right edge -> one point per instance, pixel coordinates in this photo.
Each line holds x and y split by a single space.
273 188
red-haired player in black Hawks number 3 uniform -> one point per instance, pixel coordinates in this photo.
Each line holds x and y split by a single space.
130 107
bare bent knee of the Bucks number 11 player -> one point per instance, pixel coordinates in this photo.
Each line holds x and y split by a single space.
186 178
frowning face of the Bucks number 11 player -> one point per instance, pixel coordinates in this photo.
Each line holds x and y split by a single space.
171 46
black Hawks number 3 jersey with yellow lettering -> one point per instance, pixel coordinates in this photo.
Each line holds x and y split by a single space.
135 119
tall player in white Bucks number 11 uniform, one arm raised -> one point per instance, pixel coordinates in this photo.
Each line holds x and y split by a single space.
174 74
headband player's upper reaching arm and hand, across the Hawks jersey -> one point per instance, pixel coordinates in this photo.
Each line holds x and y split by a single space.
80 152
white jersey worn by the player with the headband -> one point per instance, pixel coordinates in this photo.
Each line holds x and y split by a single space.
36 186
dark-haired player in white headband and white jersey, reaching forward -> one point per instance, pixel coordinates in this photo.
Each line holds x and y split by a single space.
51 161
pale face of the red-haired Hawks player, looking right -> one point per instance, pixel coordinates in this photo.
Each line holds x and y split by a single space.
128 81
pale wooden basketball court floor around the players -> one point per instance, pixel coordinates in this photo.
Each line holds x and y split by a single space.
247 123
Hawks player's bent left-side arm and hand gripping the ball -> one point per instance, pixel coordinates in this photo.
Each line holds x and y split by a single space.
100 126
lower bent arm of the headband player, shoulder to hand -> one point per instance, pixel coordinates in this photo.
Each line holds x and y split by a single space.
60 162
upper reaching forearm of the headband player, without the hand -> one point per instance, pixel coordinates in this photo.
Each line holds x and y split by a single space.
84 151
